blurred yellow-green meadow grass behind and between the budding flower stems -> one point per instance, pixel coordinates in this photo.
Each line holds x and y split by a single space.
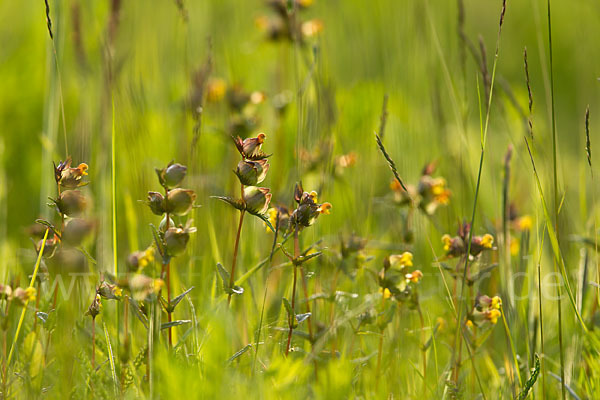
408 49
